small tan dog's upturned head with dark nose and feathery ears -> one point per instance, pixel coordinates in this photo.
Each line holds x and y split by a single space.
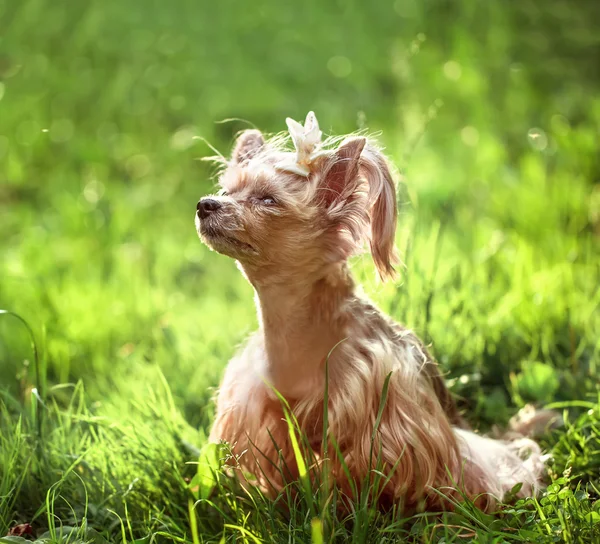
282 216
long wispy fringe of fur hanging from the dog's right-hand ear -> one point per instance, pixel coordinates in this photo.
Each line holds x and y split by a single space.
382 198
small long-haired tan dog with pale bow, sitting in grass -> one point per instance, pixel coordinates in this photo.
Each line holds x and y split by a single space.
292 220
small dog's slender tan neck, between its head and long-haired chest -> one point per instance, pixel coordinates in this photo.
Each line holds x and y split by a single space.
302 322
